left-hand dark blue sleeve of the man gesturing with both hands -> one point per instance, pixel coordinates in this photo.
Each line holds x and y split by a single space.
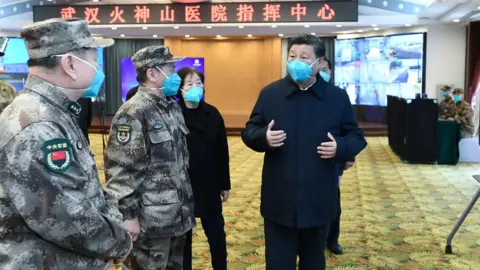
255 133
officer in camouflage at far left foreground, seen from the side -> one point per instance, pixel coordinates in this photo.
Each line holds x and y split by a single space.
54 213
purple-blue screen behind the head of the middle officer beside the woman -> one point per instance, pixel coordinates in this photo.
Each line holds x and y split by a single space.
129 74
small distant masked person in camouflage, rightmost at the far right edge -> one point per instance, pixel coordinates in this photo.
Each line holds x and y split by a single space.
463 114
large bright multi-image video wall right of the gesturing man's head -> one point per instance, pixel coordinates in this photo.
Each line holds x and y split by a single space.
371 68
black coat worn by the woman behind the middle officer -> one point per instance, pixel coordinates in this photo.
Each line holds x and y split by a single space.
209 161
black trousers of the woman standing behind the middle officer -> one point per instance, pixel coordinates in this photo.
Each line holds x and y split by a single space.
214 228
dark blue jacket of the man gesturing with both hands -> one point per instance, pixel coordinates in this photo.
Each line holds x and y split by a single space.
300 189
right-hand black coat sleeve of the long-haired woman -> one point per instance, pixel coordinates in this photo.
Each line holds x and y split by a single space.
224 160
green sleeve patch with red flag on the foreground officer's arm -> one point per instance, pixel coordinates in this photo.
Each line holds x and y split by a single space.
58 154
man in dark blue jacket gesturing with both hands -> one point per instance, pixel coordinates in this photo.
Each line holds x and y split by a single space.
300 172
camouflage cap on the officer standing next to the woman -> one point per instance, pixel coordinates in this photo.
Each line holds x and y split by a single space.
154 56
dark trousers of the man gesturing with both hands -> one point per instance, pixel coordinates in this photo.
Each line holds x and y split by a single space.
284 244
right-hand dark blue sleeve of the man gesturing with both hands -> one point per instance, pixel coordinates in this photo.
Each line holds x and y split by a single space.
351 141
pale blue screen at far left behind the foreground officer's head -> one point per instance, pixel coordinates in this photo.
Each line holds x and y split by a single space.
13 65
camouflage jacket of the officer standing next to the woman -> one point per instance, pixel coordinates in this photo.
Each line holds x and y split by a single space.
146 163
